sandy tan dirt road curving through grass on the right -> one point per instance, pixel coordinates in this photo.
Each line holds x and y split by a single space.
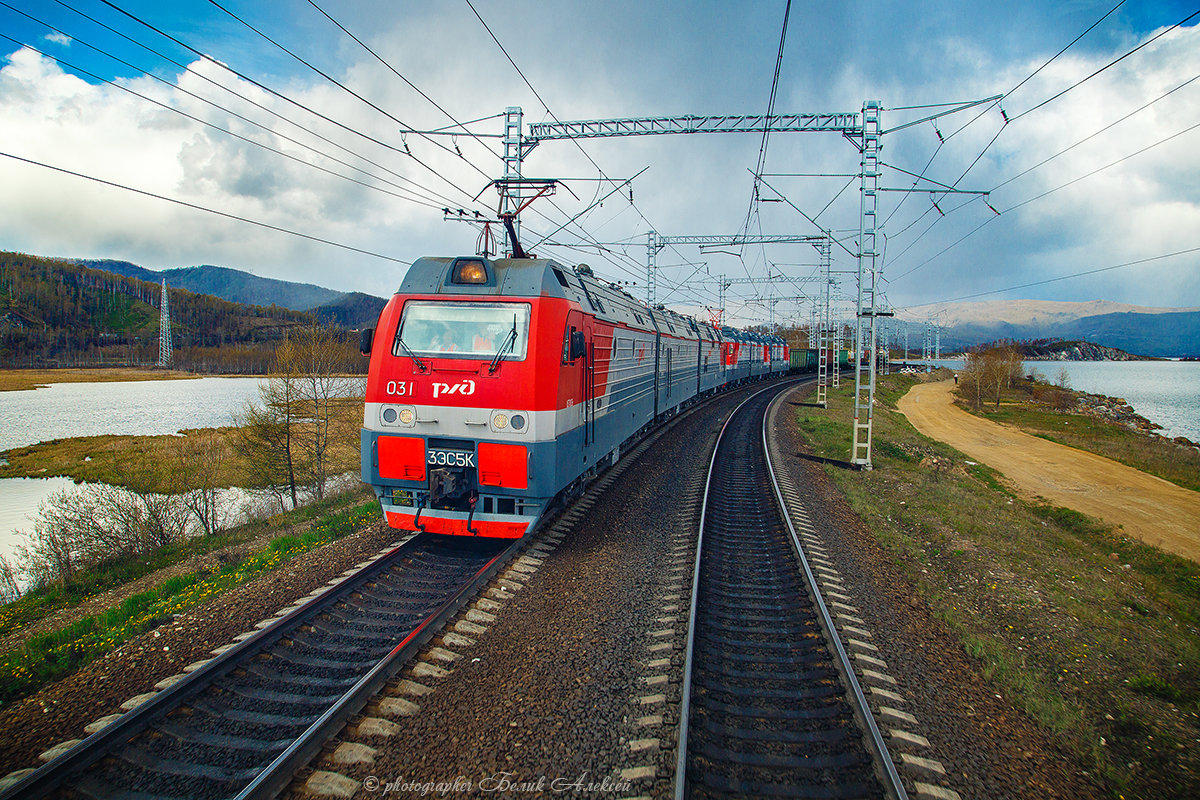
1154 510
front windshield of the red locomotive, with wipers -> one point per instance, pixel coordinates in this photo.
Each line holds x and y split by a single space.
464 330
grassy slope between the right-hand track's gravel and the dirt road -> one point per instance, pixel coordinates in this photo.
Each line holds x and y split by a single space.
1094 635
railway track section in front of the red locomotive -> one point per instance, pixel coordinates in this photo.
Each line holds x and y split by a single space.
244 723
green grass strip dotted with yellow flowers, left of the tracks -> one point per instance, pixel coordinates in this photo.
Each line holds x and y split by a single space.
53 655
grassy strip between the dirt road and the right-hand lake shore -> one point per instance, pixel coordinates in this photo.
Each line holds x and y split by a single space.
1149 453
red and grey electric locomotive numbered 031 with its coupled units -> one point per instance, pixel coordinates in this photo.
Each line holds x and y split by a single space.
495 384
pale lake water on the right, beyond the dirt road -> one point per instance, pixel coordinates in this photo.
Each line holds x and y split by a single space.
1167 393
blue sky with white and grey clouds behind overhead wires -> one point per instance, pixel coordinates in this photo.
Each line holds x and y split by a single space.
1082 184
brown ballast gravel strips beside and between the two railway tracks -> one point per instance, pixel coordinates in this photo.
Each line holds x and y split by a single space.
567 689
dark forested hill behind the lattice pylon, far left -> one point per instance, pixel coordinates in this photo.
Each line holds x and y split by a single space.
62 314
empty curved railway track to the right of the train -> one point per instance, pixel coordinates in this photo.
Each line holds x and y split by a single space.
771 705
